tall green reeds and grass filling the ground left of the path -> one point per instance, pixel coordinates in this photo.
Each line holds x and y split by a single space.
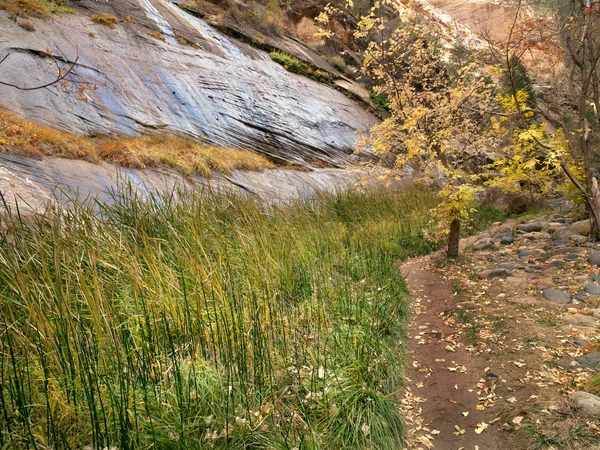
206 320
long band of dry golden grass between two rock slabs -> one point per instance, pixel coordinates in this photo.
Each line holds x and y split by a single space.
19 137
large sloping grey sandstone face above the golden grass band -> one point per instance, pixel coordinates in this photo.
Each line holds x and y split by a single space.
220 90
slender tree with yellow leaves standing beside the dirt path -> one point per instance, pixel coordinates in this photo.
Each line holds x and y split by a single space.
437 117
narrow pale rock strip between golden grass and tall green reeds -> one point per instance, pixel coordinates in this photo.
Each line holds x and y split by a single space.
33 183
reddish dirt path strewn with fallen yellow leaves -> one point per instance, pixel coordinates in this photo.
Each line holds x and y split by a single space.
445 382
